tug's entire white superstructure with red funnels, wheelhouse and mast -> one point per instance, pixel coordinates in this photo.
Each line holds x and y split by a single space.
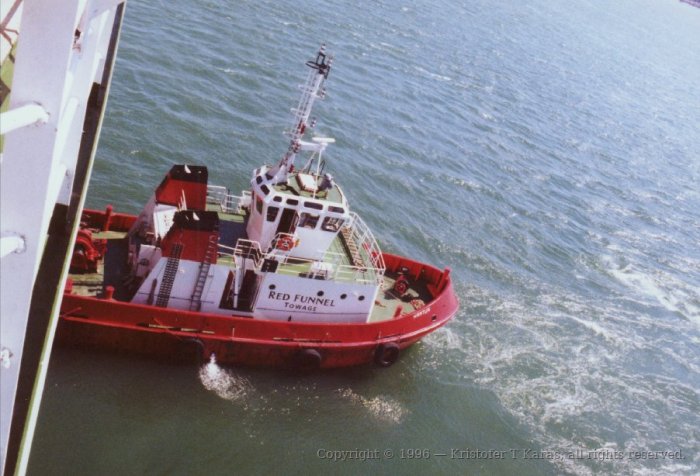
290 250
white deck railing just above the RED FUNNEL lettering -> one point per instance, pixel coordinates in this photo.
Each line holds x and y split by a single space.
334 266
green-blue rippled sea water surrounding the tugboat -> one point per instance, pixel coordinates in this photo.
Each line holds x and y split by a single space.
548 152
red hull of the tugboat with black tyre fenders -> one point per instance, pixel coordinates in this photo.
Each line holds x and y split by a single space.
177 334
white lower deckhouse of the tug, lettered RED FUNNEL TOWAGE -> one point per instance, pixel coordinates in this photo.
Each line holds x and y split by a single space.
331 291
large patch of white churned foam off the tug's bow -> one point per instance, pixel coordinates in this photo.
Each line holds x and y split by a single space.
580 375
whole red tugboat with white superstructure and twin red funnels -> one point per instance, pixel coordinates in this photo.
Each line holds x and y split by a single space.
283 275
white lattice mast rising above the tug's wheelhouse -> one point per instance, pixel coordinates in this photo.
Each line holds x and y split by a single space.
311 90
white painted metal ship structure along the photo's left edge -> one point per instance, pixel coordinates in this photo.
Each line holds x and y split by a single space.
62 52
